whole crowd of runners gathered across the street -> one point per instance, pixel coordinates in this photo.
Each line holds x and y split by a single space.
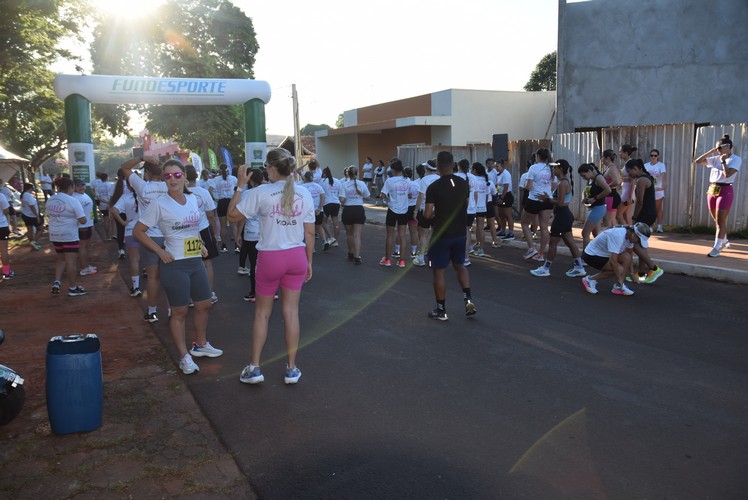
169 221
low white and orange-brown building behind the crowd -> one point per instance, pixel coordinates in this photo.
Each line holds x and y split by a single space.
453 117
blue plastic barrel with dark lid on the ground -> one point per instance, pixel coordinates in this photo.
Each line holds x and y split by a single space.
75 383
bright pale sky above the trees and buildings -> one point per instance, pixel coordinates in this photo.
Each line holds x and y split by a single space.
344 55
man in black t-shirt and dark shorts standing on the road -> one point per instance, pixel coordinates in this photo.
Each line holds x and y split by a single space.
446 206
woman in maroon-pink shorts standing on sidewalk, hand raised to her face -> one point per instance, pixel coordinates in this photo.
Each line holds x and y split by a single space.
724 166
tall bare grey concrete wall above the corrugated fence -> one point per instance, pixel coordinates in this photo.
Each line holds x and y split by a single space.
646 62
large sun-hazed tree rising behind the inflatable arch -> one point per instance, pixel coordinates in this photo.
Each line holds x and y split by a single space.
180 39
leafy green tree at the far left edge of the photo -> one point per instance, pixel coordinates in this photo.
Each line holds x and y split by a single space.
31 116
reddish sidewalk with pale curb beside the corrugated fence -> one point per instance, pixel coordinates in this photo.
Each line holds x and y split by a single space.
675 252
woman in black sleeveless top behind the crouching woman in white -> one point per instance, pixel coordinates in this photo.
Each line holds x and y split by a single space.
645 212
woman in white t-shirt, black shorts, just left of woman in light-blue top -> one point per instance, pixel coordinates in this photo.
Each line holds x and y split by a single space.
539 182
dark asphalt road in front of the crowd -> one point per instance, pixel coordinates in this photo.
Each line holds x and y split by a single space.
547 392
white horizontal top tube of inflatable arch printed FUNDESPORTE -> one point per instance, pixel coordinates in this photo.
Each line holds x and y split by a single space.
108 89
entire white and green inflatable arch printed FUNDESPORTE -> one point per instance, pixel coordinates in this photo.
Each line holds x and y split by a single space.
79 91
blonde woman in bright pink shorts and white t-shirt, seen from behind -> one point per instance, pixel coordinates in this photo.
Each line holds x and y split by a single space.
284 255
